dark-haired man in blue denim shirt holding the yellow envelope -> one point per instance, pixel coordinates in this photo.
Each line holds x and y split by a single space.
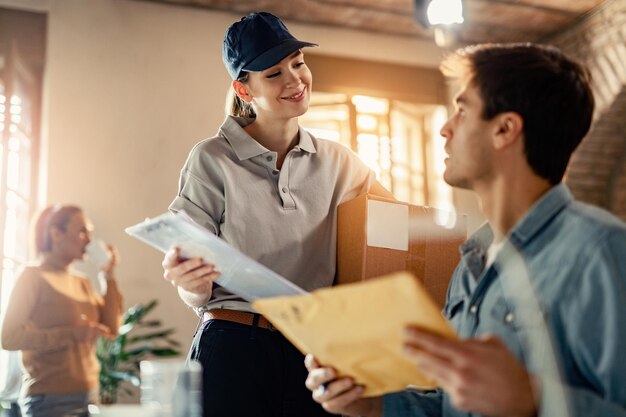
539 297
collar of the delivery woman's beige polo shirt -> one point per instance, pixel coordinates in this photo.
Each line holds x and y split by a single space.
246 147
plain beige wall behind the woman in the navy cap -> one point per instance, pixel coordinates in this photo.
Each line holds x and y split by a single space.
129 88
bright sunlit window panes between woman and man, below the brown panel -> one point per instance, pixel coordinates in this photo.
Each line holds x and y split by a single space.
398 140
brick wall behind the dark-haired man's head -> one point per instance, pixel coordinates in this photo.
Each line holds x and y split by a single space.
597 171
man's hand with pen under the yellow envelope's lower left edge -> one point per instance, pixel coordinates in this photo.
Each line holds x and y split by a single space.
339 396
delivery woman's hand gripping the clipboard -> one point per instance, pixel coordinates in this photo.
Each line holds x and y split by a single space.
192 275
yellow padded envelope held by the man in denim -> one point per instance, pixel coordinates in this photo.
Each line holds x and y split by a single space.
358 328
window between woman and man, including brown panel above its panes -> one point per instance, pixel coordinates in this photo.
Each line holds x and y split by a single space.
390 115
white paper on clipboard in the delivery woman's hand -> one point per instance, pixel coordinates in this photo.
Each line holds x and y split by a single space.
240 274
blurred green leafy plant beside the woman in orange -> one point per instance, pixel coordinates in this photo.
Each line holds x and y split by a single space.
119 357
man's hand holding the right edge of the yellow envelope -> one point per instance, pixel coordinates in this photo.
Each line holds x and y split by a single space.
480 375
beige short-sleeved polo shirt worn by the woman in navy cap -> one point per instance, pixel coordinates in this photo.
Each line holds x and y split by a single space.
285 219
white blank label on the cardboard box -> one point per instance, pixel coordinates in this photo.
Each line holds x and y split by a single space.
388 225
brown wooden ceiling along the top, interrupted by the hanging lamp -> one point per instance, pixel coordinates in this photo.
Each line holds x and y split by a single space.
485 20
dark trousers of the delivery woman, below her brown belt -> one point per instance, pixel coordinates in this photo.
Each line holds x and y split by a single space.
251 372
